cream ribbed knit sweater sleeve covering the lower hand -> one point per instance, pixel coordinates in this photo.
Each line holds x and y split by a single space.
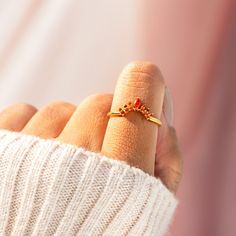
51 188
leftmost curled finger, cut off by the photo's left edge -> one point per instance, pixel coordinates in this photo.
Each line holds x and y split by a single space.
15 117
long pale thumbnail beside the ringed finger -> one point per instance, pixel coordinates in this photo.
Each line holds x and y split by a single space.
168 107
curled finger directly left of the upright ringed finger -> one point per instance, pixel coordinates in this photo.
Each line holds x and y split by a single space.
87 126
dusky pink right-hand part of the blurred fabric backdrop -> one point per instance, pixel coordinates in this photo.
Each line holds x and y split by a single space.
194 42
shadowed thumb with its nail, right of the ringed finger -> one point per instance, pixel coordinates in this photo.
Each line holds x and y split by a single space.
168 163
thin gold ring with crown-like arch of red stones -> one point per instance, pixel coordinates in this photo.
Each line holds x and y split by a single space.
136 106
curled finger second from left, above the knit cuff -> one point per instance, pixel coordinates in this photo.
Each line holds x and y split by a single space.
50 120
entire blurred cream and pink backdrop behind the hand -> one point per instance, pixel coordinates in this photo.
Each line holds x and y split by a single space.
66 50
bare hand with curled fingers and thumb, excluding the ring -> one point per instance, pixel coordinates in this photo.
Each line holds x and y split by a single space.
132 139
